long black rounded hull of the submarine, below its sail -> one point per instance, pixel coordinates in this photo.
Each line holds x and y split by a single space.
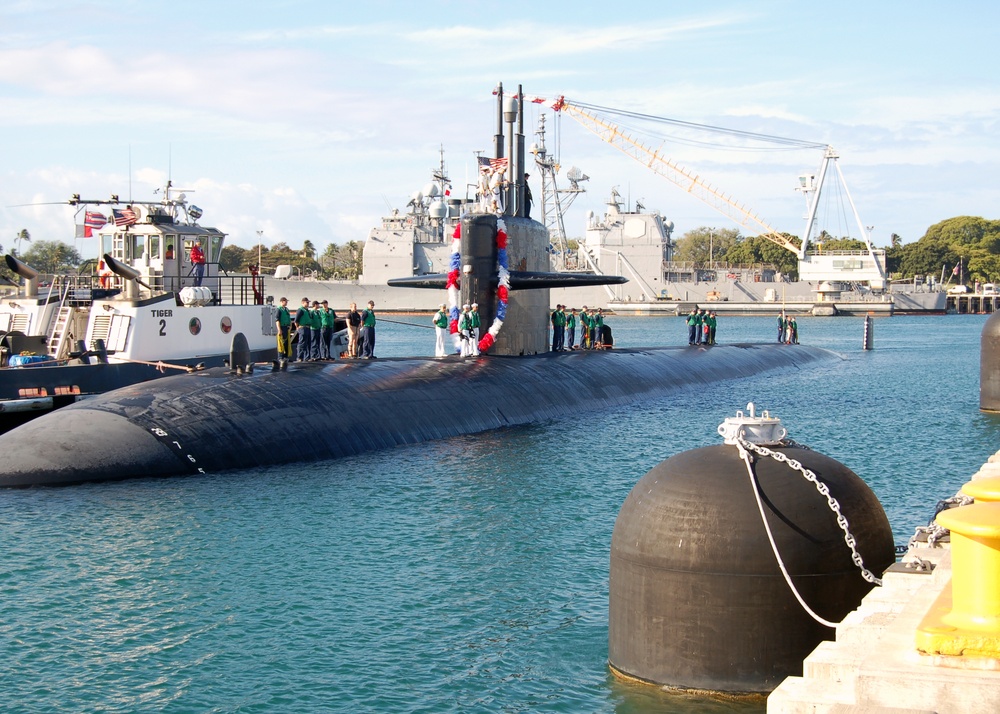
215 420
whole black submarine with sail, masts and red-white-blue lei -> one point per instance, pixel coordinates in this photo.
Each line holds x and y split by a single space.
242 417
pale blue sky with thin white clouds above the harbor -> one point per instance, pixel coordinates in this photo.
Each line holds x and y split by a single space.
308 120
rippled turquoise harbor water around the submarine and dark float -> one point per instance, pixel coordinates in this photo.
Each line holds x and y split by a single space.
461 575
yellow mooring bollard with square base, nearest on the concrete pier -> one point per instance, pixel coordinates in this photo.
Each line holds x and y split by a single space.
965 619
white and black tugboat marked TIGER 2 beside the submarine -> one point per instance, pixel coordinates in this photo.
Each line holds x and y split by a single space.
148 312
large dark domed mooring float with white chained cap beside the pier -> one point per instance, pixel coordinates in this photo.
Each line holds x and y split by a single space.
698 599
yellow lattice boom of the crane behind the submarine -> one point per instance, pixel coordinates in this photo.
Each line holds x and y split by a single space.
686 180
